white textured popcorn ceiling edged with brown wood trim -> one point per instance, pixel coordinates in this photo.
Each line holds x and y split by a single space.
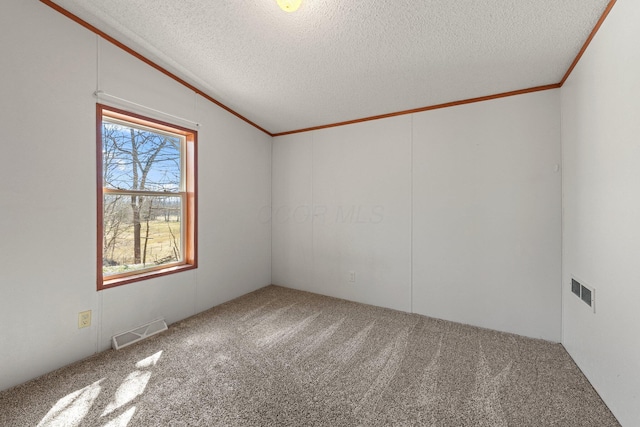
335 60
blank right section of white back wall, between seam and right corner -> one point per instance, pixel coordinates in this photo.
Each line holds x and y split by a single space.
487 215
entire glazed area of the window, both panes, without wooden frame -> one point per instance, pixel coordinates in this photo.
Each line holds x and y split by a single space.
142 219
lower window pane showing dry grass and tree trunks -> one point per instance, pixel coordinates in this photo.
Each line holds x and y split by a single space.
140 232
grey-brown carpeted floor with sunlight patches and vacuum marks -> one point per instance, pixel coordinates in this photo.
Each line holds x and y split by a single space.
279 357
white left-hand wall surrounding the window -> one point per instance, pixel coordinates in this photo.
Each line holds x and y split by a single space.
47 179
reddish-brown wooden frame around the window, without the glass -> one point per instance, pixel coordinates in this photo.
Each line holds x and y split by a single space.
191 203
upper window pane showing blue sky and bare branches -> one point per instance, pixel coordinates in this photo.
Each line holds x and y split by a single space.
140 159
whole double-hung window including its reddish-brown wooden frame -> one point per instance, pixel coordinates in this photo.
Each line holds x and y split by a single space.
146 197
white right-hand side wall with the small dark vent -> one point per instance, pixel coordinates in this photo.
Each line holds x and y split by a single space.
601 201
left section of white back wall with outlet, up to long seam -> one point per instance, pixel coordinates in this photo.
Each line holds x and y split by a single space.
342 203
